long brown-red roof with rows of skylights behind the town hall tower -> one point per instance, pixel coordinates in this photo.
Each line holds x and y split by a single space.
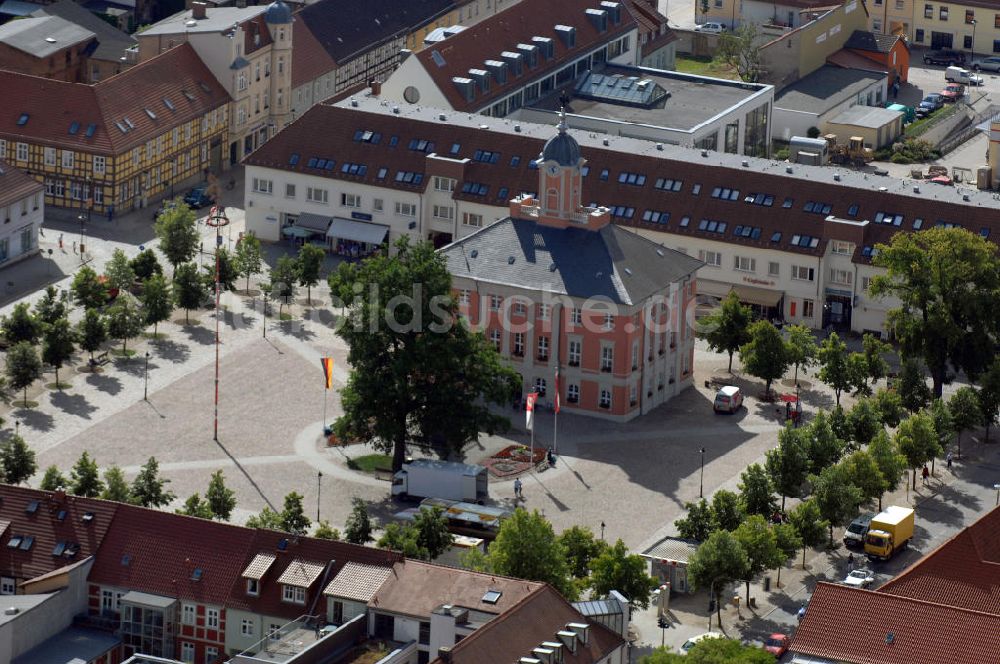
327 132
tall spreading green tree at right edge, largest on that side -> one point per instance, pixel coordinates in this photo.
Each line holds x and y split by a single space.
944 280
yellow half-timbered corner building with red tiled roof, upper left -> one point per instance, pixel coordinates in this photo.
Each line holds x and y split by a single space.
121 143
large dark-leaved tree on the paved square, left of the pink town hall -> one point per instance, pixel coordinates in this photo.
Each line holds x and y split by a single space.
439 389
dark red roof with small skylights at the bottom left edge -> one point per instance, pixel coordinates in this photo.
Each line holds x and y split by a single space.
48 530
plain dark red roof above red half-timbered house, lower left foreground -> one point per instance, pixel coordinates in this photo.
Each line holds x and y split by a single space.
157 552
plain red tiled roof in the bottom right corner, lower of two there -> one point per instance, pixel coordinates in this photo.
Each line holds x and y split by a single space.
871 627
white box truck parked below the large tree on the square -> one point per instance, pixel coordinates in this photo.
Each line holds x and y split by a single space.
431 478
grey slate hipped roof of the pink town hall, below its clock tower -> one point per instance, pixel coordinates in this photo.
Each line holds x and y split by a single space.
612 263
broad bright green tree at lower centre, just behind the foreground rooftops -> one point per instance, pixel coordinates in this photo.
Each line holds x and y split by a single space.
527 548
